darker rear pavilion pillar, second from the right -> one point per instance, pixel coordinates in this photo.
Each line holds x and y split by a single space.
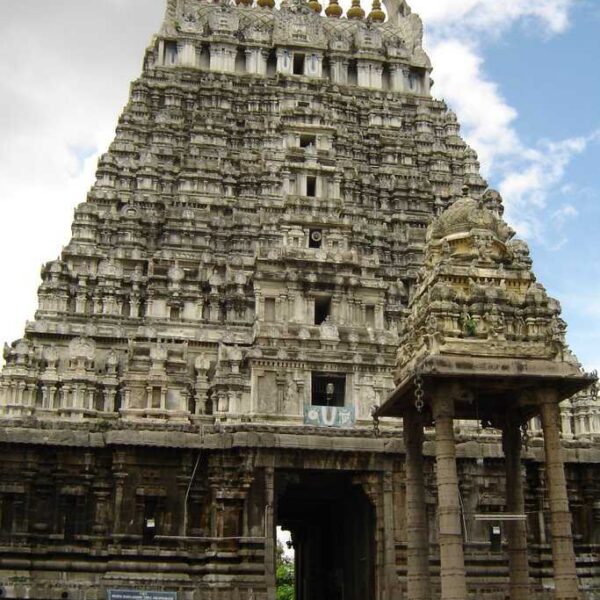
518 562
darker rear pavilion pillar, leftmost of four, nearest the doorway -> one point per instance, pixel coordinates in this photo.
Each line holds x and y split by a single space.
417 535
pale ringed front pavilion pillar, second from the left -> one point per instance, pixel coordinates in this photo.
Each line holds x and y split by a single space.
452 560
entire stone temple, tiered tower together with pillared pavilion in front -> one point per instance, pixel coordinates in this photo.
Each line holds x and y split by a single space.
290 300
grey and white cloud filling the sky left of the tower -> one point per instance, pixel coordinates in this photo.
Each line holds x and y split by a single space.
63 81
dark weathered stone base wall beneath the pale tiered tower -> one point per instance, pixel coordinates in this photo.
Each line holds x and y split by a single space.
199 519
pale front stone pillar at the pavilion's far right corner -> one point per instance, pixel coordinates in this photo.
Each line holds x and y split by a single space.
563 555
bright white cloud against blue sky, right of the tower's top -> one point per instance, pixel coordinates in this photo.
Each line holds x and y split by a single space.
457 30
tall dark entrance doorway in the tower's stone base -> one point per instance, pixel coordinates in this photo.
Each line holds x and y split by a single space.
332 524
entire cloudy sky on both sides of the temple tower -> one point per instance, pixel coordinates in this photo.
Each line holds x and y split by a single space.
521 75
